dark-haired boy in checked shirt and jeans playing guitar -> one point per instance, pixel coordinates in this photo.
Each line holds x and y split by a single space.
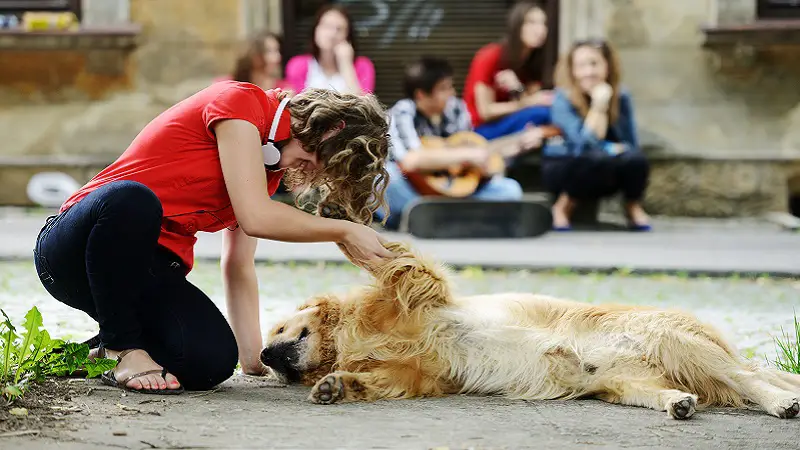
432 109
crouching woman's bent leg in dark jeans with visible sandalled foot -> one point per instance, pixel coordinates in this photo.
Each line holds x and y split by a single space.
96 257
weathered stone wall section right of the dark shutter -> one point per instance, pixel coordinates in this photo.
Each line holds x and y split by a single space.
726 116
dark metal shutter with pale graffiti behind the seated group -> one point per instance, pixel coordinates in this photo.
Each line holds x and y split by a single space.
393 33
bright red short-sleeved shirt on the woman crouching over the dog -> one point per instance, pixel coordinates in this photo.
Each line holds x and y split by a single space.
176 156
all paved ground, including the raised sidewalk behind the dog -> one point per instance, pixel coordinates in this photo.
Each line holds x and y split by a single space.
250 413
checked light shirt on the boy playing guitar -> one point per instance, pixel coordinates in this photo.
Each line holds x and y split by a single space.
408 124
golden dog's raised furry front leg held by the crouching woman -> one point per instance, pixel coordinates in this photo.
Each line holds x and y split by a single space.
411 280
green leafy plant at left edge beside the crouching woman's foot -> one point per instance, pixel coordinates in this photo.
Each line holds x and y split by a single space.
35 355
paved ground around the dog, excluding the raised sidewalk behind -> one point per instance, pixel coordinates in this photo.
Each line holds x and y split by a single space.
250 413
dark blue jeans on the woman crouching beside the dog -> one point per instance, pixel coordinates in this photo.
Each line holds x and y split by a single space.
102 257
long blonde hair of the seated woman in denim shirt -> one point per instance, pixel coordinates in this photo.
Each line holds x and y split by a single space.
566 80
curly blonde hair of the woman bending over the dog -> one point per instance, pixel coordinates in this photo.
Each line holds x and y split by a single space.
352 171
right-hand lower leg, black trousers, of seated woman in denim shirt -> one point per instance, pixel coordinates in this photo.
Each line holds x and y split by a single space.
633 172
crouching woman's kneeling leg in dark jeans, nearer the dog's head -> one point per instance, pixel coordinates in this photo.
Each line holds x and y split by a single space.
183 330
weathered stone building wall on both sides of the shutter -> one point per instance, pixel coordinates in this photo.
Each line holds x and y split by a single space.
726 118
